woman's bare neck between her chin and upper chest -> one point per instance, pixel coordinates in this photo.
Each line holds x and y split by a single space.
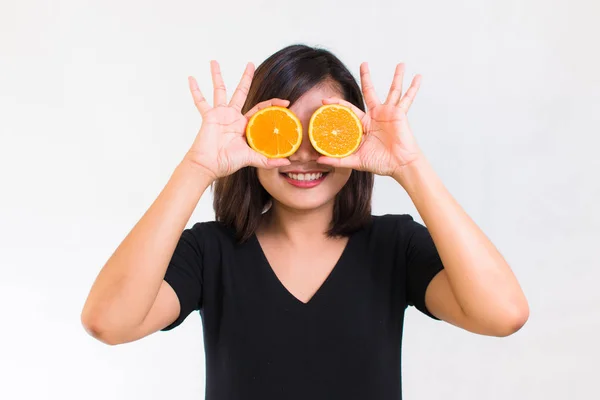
299 225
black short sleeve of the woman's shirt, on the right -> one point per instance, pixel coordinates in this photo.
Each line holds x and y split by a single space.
422 263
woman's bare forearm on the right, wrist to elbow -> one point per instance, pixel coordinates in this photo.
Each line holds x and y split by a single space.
482 282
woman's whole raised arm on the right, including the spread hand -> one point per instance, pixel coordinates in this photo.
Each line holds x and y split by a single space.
476 290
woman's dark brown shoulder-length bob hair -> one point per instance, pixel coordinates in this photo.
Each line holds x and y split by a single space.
239 199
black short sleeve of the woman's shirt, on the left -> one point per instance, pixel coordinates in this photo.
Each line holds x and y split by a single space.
184 273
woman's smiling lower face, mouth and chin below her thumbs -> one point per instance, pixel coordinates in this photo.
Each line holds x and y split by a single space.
304 192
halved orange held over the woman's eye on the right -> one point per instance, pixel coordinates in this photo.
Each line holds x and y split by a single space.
335 130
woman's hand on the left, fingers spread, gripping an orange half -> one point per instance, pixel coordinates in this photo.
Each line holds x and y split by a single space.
220 148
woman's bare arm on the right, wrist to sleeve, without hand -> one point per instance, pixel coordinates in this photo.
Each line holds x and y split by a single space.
477 290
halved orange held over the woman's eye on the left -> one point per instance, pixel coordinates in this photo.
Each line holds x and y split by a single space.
275 132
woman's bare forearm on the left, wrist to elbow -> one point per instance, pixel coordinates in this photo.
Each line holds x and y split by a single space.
127 285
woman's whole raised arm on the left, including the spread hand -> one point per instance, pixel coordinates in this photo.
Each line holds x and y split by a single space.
130 299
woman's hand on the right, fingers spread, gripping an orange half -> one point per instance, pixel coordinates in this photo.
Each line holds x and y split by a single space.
388 144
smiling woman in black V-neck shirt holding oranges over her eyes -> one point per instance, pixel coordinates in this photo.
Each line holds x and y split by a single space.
301 290
